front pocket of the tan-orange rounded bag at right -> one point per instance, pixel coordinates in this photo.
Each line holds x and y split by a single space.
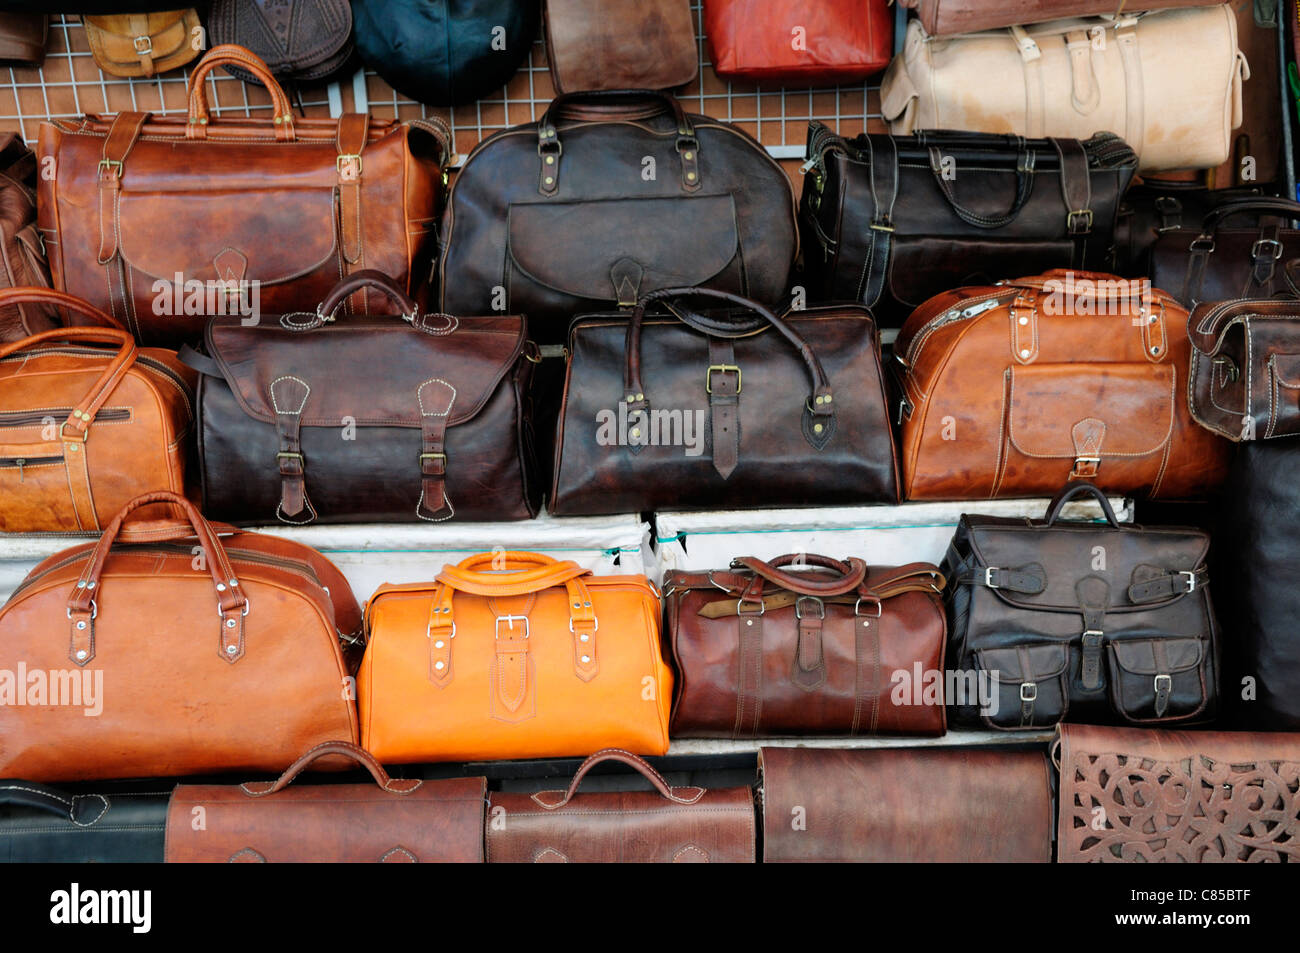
1093 410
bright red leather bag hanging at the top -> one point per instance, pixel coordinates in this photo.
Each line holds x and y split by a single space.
827 44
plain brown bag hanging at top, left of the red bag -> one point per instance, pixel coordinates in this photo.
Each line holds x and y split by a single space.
621 45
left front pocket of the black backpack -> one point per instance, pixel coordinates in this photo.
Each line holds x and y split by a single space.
1029 686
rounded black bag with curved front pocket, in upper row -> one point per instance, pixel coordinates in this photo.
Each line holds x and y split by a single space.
558 218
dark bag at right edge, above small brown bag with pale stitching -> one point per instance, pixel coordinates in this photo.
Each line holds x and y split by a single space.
1220 262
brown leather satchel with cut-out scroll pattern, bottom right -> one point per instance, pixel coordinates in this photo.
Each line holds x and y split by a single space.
1132 796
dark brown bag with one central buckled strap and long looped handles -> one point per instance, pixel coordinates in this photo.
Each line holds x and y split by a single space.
795 406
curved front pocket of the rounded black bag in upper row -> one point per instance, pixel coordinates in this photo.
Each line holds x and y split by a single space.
645 239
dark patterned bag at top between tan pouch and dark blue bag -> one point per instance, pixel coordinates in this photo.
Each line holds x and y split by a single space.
300 41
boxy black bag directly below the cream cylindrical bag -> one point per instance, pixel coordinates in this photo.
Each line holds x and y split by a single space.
891 222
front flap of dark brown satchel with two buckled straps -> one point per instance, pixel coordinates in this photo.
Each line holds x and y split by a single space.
367 369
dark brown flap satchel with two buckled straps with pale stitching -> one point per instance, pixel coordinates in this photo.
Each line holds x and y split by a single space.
296 424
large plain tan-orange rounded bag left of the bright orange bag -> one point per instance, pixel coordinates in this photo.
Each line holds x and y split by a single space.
118 639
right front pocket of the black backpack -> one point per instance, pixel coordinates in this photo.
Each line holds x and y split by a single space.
1158 679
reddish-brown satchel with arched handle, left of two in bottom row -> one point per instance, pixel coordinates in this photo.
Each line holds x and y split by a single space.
392 821
